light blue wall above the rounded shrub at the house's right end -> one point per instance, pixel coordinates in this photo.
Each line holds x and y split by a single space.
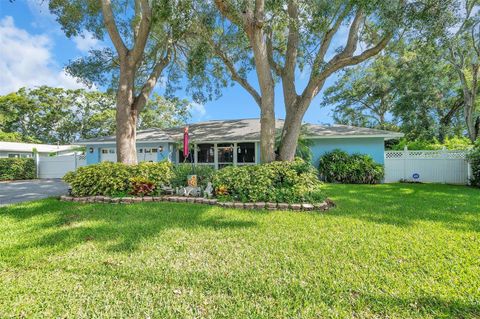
373 146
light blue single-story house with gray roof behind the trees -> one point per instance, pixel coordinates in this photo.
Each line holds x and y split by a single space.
221 143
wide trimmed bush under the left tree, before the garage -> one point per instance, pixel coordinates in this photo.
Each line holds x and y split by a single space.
110 179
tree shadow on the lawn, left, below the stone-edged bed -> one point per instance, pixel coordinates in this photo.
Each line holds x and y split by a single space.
55 226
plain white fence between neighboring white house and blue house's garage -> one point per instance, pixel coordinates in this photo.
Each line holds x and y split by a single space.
58 166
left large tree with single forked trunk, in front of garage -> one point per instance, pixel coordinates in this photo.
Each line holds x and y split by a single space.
145 36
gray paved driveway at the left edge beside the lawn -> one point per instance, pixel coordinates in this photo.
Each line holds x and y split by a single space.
23 191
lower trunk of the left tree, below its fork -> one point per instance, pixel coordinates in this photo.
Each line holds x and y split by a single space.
126 118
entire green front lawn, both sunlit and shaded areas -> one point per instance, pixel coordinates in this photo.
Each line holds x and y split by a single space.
386 251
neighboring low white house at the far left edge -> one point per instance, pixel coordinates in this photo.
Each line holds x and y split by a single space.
13 149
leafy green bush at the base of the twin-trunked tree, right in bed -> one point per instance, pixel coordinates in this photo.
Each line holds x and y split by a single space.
289 182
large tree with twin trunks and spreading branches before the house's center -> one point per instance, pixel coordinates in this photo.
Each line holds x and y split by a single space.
281 39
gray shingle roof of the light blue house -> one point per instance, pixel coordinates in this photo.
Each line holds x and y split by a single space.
245 130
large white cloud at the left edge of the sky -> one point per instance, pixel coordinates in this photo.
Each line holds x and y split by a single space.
26 60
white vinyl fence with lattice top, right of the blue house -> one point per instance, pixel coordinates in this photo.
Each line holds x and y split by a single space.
442 166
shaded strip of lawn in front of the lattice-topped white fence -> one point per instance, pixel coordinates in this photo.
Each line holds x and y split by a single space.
455 207
